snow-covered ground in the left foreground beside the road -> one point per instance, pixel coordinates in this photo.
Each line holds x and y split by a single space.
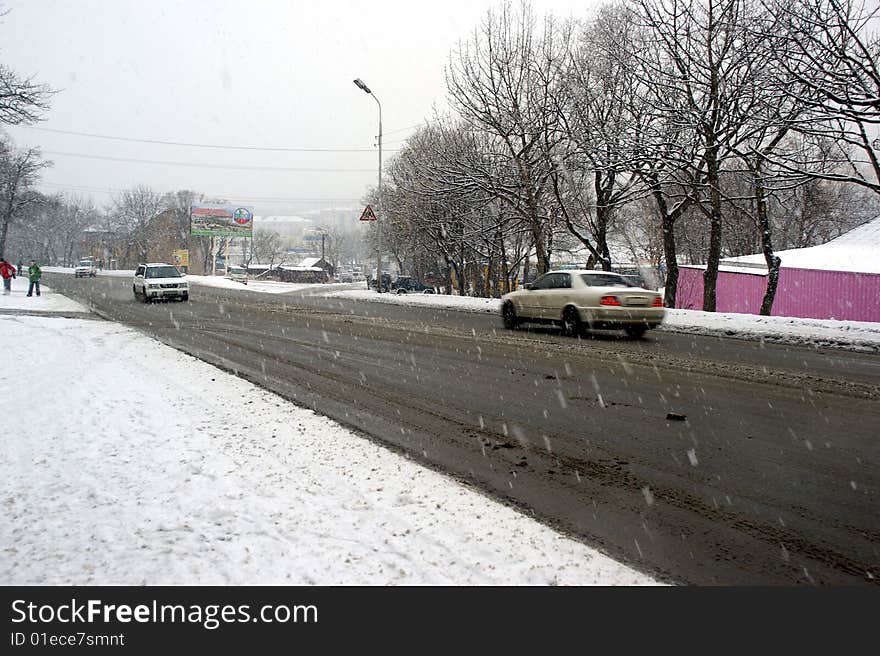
133 463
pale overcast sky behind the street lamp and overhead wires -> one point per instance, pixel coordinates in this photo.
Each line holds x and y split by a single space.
242 73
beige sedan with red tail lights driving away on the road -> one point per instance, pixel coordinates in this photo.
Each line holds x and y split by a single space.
581 299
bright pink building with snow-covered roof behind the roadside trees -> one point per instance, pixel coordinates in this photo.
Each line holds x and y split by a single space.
837 280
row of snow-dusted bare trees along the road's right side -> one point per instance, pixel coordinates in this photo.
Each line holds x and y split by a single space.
654 131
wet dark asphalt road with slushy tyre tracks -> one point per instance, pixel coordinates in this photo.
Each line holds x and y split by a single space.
700 460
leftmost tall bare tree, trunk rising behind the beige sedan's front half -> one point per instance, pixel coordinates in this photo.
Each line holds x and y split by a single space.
503 83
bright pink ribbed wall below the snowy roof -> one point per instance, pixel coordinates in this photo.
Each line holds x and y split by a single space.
806 293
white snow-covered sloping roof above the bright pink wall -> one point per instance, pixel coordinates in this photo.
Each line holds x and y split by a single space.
856 251
